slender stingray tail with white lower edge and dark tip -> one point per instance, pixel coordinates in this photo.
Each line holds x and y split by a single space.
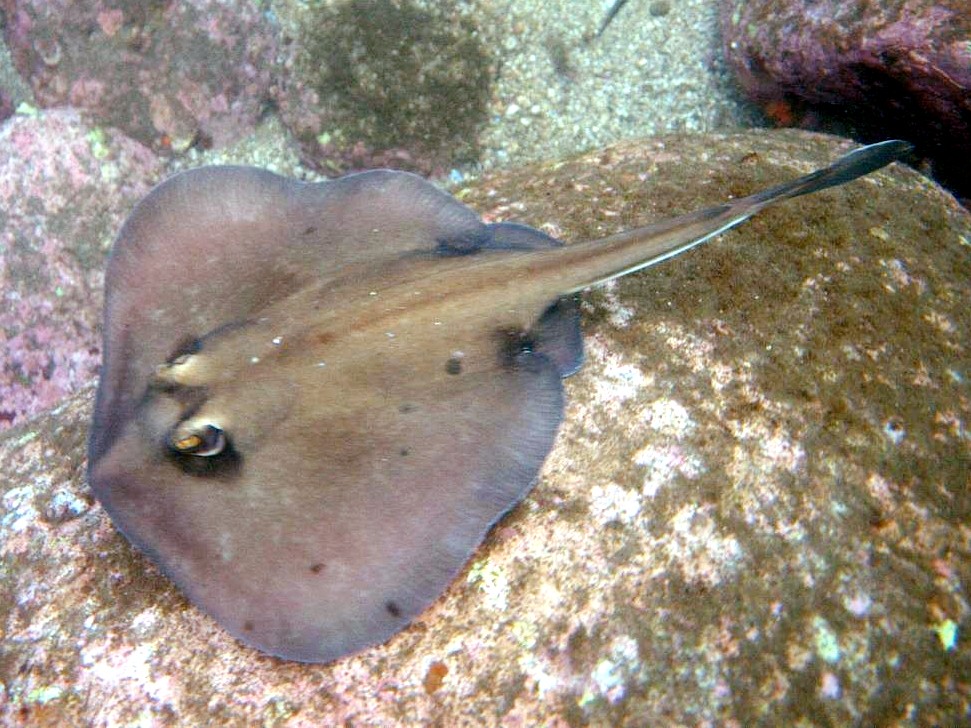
608 258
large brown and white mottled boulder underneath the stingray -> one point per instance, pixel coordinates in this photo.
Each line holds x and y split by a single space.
756 511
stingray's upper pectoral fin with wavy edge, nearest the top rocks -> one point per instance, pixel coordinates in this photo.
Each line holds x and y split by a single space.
215 246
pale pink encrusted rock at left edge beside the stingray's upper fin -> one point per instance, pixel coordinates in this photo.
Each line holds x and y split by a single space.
65 187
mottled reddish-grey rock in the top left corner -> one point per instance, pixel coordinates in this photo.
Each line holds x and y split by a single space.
169 74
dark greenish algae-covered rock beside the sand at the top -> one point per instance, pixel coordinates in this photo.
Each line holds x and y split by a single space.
387 83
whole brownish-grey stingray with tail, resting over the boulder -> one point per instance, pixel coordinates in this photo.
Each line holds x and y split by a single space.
317 398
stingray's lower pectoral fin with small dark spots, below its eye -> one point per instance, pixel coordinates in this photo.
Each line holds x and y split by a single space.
349 519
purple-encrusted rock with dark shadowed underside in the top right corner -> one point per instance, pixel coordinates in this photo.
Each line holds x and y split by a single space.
891 69
